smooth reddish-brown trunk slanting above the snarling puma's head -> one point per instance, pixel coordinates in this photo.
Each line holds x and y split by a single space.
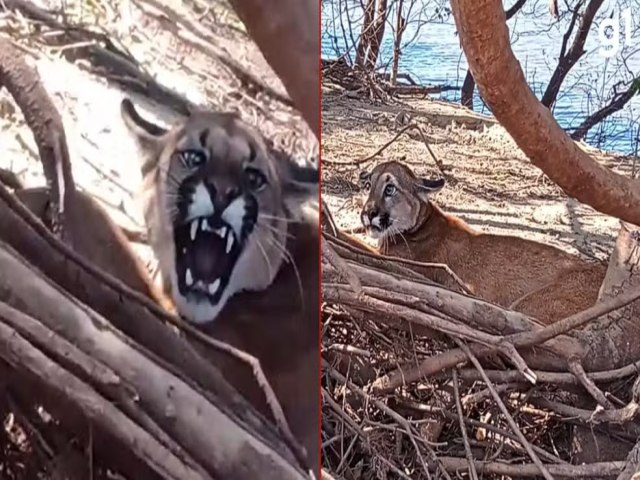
299 69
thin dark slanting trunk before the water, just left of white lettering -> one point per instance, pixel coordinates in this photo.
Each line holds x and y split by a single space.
576 51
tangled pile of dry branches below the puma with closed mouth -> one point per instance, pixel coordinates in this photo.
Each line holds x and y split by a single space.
420 379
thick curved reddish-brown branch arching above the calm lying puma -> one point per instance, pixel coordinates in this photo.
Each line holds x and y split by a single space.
485 41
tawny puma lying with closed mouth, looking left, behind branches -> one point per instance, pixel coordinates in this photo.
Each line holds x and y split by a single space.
539 280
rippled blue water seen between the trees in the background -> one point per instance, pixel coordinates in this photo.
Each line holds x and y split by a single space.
434 57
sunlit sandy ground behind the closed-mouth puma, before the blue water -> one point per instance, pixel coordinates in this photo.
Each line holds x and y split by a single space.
493 187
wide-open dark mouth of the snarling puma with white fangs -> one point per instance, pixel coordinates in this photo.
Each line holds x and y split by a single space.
207 250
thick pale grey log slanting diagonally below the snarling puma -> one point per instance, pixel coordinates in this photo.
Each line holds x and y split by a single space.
182 411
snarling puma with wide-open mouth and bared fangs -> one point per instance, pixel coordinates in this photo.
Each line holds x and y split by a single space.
238 252
